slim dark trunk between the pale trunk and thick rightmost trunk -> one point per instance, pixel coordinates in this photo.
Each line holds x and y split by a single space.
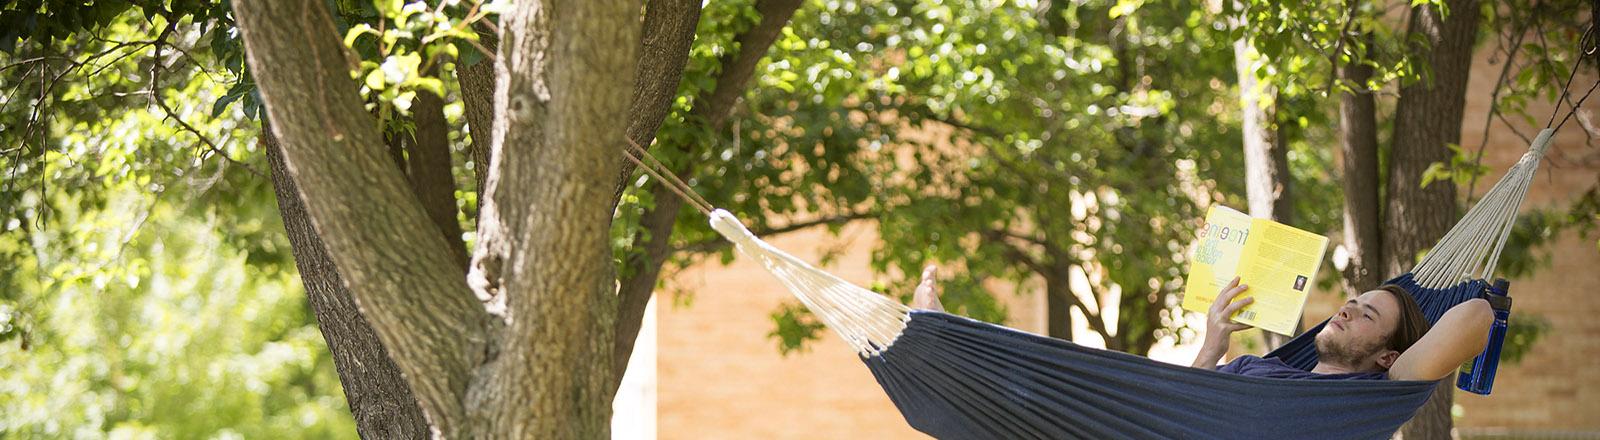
1359 150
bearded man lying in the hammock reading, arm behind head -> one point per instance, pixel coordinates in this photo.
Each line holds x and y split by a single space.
1378 335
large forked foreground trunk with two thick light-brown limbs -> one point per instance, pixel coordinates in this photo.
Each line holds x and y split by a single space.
521 353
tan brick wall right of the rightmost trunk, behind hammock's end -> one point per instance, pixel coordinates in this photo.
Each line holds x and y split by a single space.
1554 388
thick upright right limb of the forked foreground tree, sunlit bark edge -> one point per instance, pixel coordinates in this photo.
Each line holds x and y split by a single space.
564 73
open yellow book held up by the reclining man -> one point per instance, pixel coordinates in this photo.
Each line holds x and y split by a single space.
1276 262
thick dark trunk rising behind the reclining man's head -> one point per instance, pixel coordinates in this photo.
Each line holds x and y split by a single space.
1428 122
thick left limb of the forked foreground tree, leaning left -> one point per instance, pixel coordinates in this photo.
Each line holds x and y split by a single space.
377 233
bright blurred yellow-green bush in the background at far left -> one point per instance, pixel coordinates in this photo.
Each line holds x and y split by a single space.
151 319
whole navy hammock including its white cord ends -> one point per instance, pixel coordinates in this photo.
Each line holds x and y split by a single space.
959 378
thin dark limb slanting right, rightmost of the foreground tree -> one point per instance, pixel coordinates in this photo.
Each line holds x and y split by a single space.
714 110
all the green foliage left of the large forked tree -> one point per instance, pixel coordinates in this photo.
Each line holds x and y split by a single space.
150 290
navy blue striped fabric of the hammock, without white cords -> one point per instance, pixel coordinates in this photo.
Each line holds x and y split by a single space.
961 378
